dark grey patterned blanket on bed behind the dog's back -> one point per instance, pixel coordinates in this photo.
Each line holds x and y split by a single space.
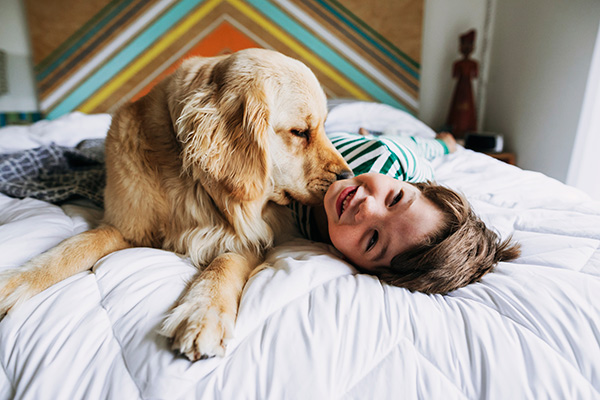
54 173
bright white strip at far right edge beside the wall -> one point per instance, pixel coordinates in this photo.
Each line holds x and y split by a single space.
584 168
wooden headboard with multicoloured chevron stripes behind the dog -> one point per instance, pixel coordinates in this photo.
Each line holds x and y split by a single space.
93 55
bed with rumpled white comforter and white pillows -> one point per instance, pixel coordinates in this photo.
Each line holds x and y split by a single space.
309 325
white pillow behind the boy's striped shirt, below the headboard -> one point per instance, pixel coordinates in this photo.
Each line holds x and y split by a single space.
349 116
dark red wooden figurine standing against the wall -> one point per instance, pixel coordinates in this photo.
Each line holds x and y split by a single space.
462 117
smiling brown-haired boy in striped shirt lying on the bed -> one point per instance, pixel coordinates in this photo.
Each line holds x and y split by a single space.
391 221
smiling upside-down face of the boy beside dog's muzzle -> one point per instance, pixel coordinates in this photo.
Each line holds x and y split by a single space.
373 217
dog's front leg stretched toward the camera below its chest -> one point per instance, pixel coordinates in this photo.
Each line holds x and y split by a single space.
202 322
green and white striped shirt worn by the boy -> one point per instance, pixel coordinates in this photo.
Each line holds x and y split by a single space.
402 157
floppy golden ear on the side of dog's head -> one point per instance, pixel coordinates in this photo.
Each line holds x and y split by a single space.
225 136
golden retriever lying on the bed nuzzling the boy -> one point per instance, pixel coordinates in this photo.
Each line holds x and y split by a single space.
203 166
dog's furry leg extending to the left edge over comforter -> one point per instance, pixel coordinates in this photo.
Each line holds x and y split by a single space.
71 256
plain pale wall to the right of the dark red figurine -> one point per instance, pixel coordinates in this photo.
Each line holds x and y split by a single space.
540 61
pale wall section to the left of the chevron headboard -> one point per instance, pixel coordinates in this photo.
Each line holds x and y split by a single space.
14 41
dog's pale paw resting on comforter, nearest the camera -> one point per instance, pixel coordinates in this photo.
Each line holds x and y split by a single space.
200 327
